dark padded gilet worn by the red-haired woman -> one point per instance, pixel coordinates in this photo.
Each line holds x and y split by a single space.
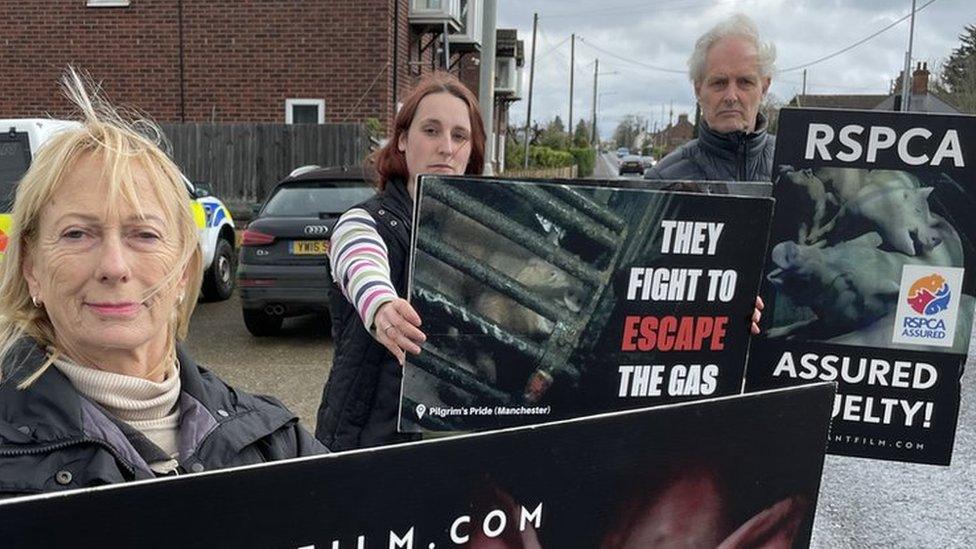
361 399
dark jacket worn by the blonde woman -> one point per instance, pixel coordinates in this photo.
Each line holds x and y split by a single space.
54 438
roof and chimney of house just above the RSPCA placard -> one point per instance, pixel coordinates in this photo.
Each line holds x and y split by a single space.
921 98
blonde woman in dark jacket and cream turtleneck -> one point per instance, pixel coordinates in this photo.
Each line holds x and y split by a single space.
97 288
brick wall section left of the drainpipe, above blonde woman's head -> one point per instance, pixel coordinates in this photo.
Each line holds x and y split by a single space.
134 51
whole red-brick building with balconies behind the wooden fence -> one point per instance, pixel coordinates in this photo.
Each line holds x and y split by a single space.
230 60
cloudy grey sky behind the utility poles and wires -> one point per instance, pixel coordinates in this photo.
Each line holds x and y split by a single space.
643 48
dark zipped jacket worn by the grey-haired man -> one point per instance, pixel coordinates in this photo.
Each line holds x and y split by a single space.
713 156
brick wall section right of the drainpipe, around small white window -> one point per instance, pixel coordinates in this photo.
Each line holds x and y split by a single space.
244 58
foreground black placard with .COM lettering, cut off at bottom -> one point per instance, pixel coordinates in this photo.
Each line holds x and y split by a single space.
742 469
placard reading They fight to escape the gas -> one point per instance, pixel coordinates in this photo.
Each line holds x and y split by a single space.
546 300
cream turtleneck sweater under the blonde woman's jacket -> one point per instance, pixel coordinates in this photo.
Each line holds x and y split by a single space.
147 406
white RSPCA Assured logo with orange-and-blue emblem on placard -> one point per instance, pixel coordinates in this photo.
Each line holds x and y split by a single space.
927 311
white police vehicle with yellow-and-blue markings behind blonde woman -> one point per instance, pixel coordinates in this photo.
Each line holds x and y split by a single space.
20 140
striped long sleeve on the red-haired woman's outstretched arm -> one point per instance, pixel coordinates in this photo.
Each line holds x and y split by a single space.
360 264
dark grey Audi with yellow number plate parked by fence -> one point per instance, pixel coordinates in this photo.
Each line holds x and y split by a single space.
284 262
